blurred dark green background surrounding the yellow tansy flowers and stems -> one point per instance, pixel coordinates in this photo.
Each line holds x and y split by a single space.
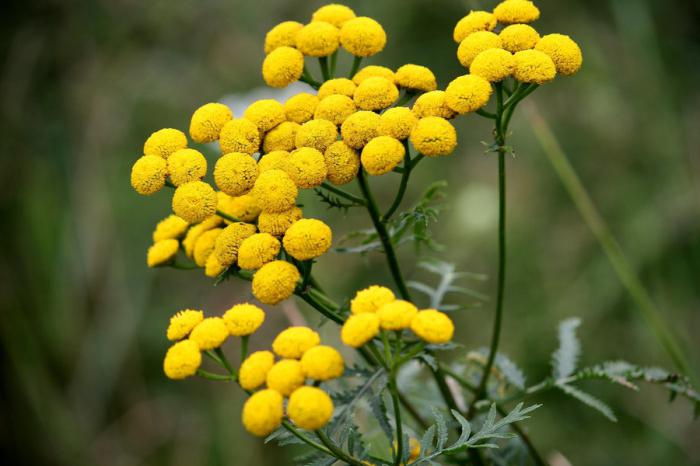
82 319
